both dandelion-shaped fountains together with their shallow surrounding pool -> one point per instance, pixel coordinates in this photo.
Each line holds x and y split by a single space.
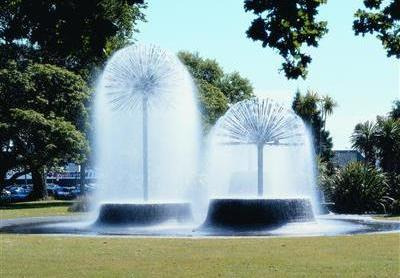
256 174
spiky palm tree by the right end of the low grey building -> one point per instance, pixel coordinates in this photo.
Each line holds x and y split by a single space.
363 139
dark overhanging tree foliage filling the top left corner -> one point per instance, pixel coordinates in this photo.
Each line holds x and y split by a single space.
74 34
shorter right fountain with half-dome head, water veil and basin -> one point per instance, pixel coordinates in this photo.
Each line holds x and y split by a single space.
237 167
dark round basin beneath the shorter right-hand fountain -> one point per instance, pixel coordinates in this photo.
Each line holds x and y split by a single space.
257 213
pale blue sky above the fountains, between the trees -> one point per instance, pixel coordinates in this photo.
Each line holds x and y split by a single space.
355 71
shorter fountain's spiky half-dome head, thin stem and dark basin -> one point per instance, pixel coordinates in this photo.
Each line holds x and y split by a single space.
258 122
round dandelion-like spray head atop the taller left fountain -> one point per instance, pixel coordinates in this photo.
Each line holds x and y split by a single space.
141 72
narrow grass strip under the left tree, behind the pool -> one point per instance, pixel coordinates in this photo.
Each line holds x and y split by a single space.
34 209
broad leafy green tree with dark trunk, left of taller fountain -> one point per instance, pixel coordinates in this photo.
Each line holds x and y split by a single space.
42 118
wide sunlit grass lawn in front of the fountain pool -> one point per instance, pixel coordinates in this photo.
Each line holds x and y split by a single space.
346 256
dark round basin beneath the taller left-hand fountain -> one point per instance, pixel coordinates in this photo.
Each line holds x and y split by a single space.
136 214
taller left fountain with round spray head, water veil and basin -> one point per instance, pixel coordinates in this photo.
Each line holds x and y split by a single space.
147 132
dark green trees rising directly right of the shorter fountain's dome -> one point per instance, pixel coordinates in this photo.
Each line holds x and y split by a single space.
314 109
